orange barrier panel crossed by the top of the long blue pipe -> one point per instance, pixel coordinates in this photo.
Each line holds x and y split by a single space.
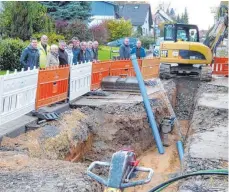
123 68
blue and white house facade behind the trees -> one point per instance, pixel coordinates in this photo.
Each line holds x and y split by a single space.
102 10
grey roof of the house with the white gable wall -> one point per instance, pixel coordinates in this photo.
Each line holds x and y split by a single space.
135 12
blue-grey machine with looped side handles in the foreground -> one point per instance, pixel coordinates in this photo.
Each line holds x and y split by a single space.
123 168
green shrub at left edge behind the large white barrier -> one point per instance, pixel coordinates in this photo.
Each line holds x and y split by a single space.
10 52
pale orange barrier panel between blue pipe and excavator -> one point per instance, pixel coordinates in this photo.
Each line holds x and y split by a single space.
150 68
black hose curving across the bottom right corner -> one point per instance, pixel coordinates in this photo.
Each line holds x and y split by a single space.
185 176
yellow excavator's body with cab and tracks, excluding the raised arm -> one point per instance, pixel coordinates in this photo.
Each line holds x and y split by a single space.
182 53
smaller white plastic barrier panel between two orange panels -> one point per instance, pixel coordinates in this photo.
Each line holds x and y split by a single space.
80 80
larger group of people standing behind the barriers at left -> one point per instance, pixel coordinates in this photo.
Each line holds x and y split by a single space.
42 55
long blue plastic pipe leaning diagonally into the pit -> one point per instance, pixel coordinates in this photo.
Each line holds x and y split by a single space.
147 105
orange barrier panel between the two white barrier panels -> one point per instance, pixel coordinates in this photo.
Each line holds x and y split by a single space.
52 85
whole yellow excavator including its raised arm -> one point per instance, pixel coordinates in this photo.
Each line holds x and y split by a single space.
182 53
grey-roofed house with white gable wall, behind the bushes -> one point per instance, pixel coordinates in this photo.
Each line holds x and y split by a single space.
139 15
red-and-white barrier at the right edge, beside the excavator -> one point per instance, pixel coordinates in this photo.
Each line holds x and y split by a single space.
220 66
